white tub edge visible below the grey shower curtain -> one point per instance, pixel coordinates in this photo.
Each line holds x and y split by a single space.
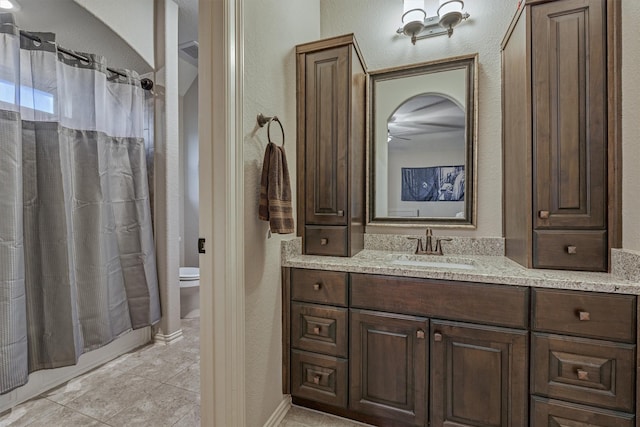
44 380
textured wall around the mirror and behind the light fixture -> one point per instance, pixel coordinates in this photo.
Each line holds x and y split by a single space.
374 23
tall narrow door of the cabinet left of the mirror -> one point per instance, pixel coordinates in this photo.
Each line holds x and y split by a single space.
326 115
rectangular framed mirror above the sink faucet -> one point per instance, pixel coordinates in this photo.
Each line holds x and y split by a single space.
422 129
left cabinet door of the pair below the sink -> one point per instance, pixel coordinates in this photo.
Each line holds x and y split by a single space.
388 366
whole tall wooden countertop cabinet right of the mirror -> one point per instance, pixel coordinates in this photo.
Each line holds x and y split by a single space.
561 209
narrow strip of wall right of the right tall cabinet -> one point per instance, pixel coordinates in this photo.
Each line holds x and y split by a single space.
630 125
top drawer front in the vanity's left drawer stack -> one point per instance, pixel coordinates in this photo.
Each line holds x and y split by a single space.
325 287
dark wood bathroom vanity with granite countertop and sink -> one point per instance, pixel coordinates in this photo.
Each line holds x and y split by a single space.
399 339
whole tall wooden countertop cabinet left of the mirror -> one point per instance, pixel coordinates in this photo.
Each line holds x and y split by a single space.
331 146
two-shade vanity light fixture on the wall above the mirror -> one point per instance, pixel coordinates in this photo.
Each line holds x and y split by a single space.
417 25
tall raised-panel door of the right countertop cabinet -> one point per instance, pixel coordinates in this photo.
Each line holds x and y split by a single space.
569 114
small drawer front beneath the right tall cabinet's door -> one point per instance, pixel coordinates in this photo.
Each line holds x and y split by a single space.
578 250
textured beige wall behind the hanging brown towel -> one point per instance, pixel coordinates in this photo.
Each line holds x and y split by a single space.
272 29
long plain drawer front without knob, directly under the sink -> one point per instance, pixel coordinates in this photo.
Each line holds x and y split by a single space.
462 301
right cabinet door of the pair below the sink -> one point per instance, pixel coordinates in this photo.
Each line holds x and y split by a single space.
478 375
